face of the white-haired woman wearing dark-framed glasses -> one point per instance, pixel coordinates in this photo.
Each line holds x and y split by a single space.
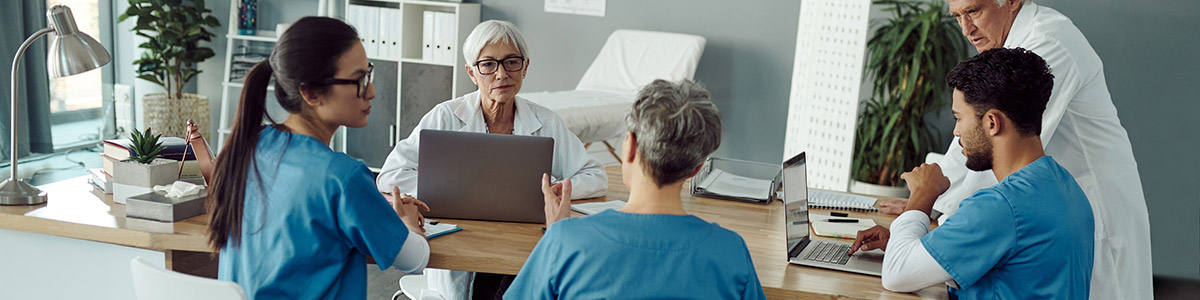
503 86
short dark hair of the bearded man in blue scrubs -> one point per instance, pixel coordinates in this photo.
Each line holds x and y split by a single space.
1016 82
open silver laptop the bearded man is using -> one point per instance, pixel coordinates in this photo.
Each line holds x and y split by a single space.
813 251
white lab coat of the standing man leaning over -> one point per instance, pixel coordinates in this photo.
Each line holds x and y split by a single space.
1082 131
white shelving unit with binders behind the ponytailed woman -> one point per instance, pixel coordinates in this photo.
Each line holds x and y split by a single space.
406 87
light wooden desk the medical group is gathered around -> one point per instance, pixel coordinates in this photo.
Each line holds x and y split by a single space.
76 211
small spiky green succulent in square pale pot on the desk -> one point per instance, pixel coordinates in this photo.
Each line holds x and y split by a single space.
146 170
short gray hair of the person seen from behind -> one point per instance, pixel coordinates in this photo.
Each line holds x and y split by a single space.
677 127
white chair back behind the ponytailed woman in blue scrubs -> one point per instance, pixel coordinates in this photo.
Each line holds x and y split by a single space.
153 283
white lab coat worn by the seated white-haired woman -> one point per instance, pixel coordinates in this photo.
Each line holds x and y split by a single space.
572 160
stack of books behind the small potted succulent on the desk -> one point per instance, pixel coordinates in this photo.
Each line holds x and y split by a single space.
116 151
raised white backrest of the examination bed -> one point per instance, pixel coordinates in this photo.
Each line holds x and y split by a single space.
632 59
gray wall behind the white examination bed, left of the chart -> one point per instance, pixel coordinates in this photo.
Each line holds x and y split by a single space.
747 64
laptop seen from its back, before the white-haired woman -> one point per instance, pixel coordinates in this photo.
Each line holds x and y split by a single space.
483 177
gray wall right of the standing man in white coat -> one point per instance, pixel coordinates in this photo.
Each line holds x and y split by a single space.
1154 73
